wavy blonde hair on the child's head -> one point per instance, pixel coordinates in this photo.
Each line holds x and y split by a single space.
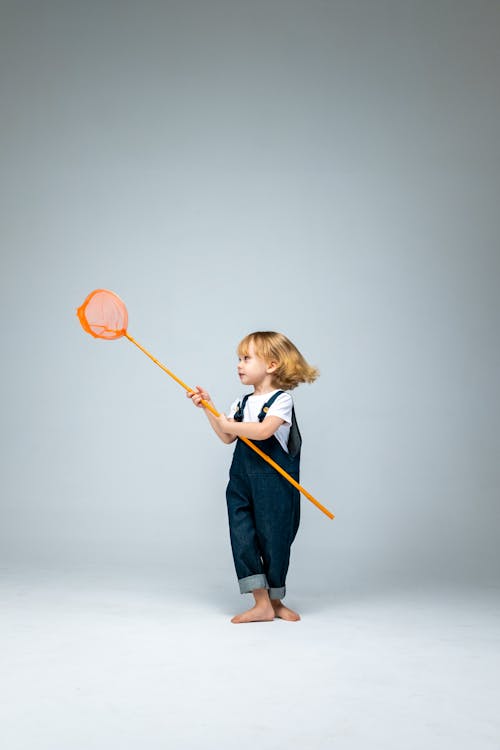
292 368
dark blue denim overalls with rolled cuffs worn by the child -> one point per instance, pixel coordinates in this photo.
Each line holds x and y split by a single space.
263 508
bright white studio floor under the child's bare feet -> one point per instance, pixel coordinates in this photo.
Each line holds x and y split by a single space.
91 663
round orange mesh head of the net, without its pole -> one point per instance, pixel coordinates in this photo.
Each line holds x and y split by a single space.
103 315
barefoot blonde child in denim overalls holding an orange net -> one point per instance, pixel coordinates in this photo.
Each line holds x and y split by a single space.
263 507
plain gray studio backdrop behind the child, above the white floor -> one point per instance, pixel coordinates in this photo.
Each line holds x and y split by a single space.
326 169
